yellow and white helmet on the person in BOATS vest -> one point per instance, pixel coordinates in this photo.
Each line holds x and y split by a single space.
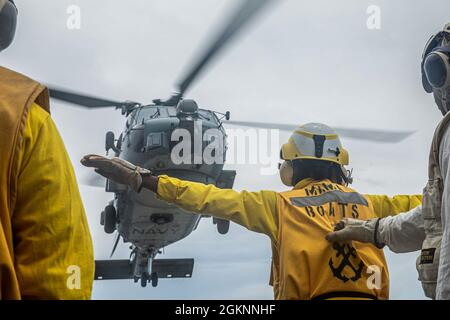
315 141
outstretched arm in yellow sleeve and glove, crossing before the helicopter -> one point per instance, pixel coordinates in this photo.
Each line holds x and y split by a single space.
254 210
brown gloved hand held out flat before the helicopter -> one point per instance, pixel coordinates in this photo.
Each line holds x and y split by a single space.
117 170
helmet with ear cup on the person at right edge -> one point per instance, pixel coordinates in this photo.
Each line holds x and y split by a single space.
436 63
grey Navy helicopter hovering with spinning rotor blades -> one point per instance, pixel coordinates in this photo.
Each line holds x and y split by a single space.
143 220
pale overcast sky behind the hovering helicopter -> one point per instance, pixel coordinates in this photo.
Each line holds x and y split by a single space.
302 61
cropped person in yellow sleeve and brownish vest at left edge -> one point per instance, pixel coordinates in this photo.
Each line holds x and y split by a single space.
45 245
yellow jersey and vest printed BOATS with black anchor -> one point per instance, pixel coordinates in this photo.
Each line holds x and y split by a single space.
304 264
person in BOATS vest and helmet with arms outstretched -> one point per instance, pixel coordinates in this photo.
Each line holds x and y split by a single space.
304 264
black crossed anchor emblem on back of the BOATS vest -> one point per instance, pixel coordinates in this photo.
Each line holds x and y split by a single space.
347 252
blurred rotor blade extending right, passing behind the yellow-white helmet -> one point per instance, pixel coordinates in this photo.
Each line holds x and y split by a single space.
382 136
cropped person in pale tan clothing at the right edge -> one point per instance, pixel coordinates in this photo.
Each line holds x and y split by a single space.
426 227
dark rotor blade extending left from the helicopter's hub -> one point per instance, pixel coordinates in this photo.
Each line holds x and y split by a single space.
84 100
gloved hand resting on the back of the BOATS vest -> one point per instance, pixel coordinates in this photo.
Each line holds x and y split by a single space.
358 230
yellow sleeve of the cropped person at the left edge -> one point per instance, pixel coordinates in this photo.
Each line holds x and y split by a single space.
52 240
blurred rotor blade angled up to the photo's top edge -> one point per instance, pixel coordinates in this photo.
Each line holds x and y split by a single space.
244 13
